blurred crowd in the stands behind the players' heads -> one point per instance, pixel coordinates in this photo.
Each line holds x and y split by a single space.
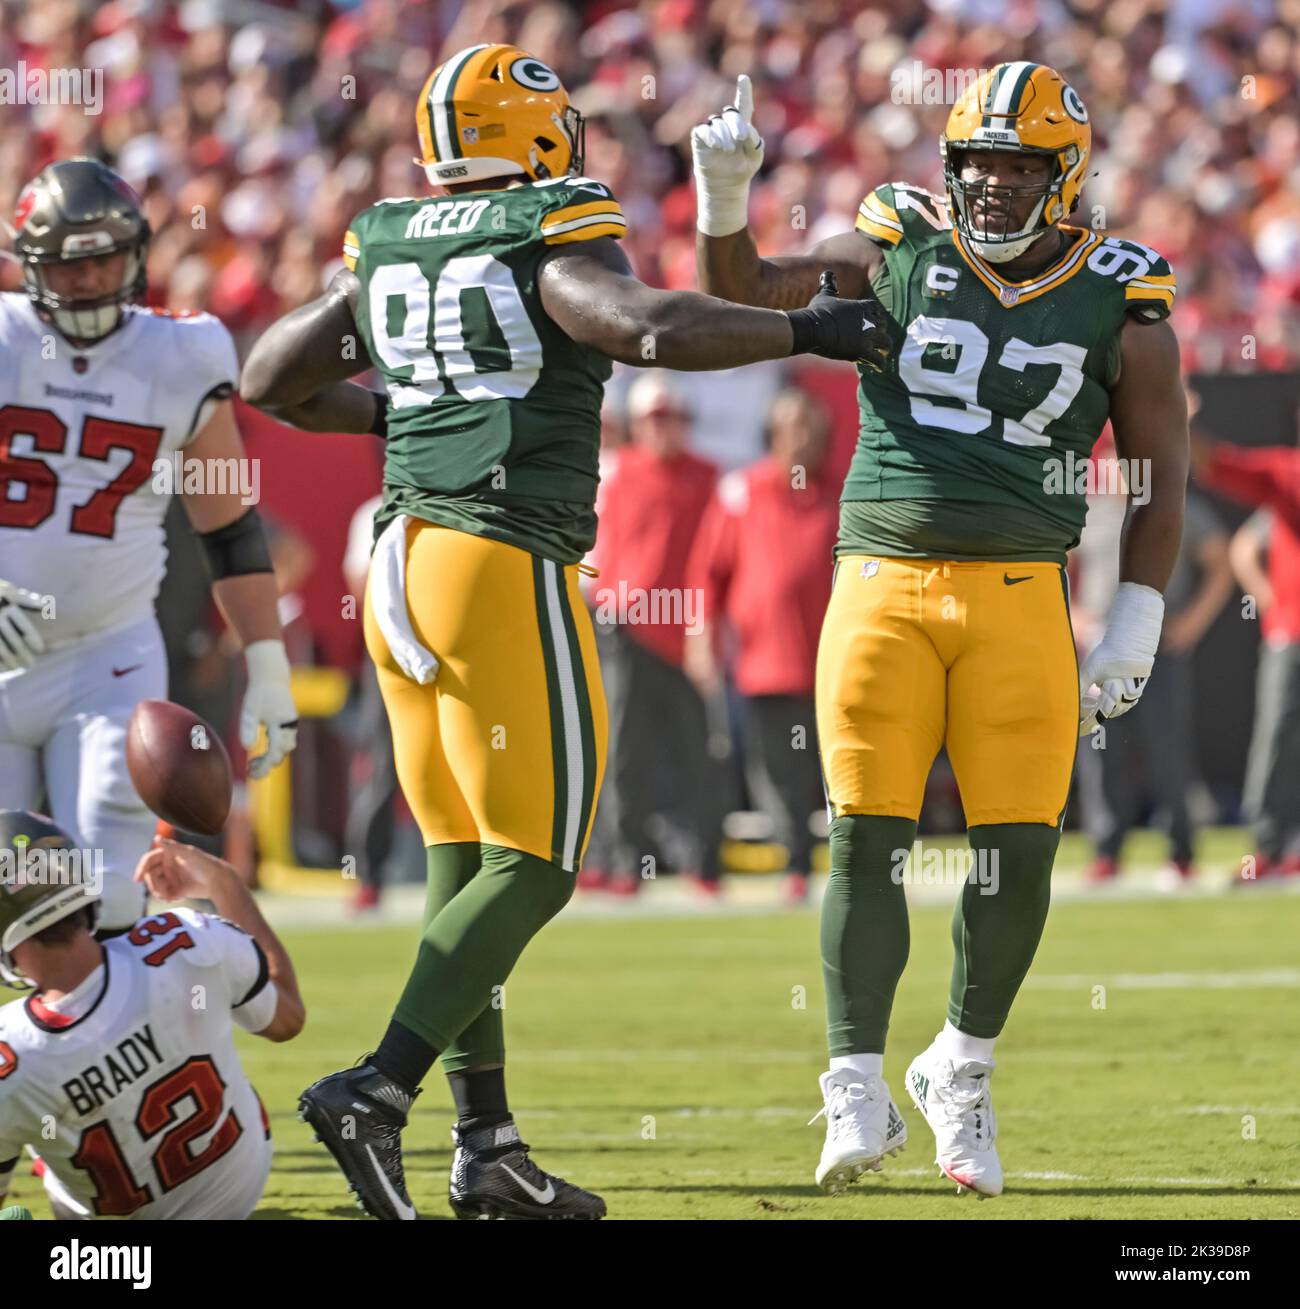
257 130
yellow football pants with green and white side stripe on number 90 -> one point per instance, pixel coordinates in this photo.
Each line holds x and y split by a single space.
507 744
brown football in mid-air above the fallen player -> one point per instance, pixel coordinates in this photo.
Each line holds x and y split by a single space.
180 766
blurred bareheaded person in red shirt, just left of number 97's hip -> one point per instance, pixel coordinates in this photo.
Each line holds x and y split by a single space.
764 564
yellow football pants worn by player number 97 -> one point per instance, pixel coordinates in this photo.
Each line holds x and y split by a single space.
920 654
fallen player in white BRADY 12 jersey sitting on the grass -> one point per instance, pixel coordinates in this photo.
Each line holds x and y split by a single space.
120 1069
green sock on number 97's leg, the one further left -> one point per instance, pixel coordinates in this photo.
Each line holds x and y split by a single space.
865 930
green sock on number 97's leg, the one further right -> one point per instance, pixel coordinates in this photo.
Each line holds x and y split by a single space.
1000 922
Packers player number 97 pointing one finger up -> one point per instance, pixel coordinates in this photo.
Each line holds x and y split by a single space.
1017 337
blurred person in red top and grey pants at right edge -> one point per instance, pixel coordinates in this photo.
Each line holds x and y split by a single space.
1269 477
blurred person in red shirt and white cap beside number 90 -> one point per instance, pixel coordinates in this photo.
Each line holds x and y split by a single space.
643 608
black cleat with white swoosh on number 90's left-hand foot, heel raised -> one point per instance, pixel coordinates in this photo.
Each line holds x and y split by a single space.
359 1116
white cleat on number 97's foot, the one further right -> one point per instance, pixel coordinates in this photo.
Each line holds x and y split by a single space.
955 1102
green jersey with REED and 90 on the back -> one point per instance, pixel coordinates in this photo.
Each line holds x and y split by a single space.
494 413
